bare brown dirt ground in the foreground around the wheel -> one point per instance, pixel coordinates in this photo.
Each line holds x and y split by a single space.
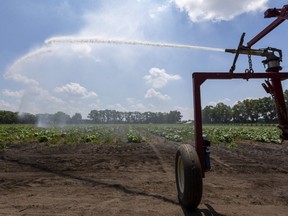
138 179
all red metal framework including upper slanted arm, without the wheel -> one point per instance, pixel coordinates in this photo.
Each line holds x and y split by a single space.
273 74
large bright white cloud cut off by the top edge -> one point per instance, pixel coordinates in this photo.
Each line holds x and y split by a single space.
217 10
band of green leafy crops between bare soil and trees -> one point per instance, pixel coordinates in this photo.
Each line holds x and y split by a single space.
101 134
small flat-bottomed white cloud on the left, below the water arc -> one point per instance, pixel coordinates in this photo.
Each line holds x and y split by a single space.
75 89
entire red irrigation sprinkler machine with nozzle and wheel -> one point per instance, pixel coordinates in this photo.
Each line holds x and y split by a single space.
191 164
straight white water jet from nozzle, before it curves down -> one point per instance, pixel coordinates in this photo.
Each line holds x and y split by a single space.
93 40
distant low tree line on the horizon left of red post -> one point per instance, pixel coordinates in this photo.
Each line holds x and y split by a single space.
95 116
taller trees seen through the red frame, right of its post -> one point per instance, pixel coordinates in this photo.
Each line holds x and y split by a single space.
260 110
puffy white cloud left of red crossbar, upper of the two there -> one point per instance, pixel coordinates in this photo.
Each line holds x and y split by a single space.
159 78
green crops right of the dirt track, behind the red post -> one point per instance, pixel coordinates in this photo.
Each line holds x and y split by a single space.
217 134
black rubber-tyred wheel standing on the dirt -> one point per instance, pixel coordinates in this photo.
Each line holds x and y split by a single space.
188 177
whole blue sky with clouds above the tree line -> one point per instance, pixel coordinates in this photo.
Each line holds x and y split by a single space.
45 78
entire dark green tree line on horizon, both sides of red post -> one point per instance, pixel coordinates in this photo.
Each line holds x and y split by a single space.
260 110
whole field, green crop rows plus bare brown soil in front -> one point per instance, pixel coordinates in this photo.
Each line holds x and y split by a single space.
129 170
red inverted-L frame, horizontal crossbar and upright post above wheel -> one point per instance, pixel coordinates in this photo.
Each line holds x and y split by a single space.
199 78
